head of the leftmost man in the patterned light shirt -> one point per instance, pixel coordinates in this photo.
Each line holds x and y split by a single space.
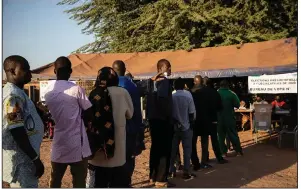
17 70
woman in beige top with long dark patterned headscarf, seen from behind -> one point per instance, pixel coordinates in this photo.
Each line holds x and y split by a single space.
111 105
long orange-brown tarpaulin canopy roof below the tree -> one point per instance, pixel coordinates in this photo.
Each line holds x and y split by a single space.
262 56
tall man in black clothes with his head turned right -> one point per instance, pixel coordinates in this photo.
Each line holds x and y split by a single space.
159 114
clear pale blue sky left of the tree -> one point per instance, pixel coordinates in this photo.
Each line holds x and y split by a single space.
40 31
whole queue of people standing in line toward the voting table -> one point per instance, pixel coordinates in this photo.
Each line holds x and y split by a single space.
99 136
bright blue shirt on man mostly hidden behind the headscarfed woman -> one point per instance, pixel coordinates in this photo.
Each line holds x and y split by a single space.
133 125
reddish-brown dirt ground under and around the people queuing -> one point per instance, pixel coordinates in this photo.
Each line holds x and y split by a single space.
263 165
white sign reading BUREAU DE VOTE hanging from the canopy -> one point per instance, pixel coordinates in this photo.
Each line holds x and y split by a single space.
273 84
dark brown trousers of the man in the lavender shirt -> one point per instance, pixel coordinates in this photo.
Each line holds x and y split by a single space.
78 172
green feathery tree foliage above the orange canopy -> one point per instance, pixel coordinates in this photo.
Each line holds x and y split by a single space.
158 25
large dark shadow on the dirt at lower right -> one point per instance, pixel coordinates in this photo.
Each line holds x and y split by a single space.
259 160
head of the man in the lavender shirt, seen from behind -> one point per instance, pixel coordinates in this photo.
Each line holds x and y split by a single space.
62 68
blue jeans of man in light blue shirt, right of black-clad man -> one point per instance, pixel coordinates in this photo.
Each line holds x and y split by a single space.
186 138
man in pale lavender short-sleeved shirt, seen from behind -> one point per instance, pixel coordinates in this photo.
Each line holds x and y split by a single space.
67 103
